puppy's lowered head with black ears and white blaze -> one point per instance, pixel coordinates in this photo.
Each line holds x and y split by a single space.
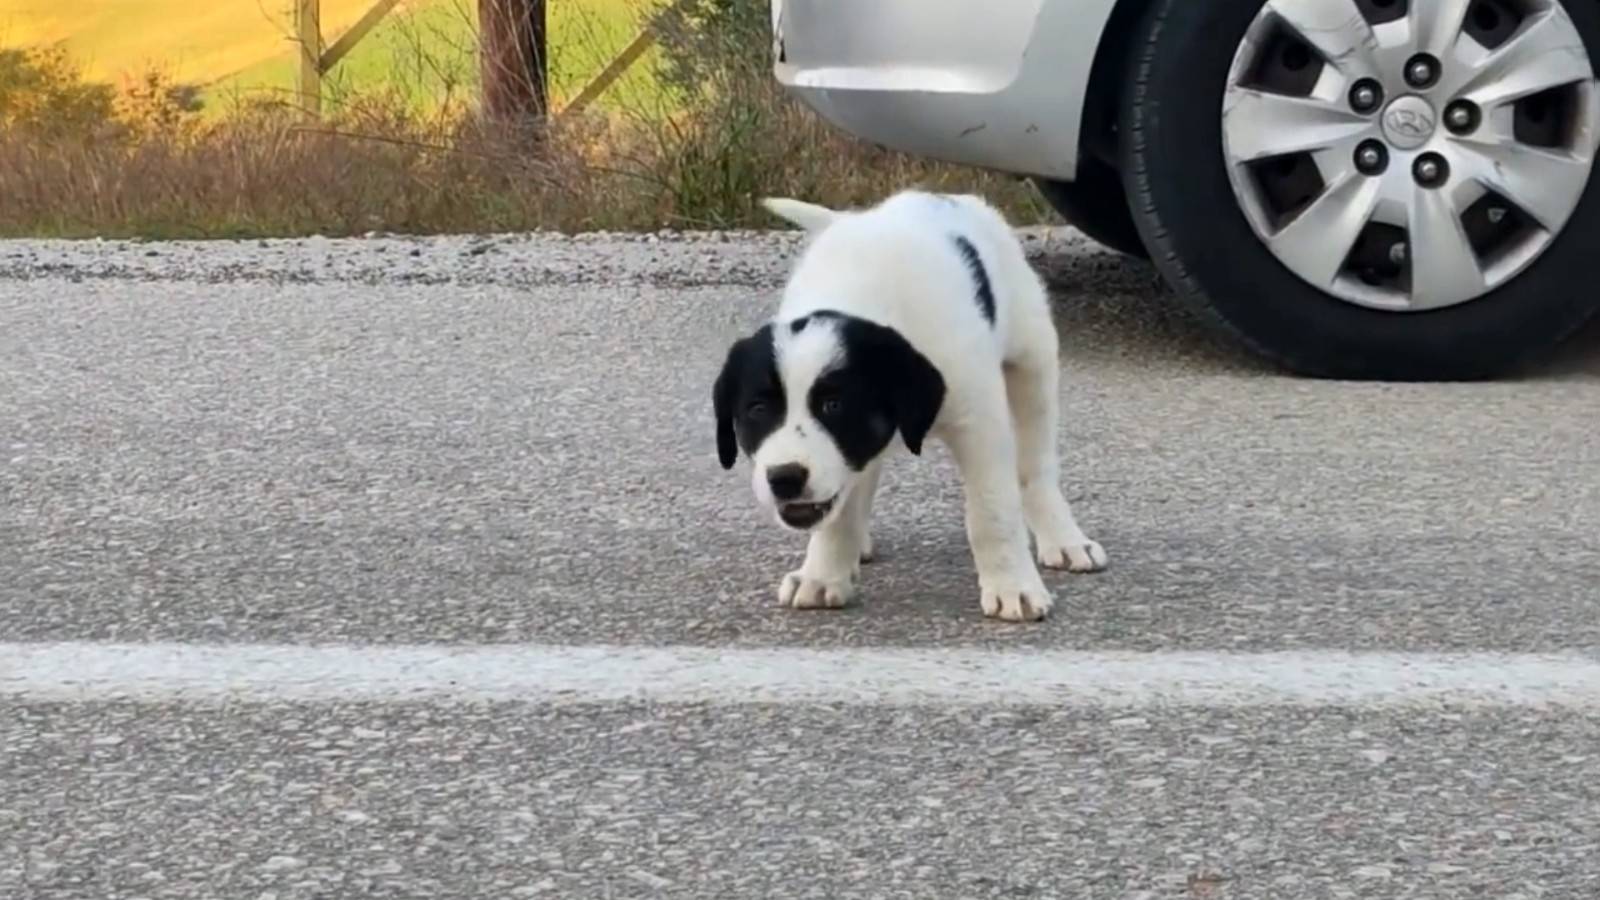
814 403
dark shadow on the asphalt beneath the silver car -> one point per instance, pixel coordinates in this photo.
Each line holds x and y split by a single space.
1113 308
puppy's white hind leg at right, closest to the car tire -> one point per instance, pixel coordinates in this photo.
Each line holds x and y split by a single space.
1033 384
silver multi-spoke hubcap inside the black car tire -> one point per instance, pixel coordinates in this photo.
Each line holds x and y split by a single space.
1458 180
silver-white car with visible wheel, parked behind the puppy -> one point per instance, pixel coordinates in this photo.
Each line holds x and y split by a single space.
1358 188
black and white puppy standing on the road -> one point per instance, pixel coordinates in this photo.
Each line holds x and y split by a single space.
914 319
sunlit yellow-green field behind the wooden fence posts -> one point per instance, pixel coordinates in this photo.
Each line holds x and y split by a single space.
244 47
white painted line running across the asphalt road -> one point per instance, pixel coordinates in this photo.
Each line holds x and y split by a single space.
89 672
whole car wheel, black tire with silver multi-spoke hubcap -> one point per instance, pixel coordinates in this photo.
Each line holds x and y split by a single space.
1372 188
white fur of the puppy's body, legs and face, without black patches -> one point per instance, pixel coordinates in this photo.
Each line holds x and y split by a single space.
898 265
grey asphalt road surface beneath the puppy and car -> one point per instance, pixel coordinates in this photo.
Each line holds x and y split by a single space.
468 444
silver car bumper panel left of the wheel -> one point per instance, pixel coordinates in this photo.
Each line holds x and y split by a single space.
996 86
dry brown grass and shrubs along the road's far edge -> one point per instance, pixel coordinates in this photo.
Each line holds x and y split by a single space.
689 142
